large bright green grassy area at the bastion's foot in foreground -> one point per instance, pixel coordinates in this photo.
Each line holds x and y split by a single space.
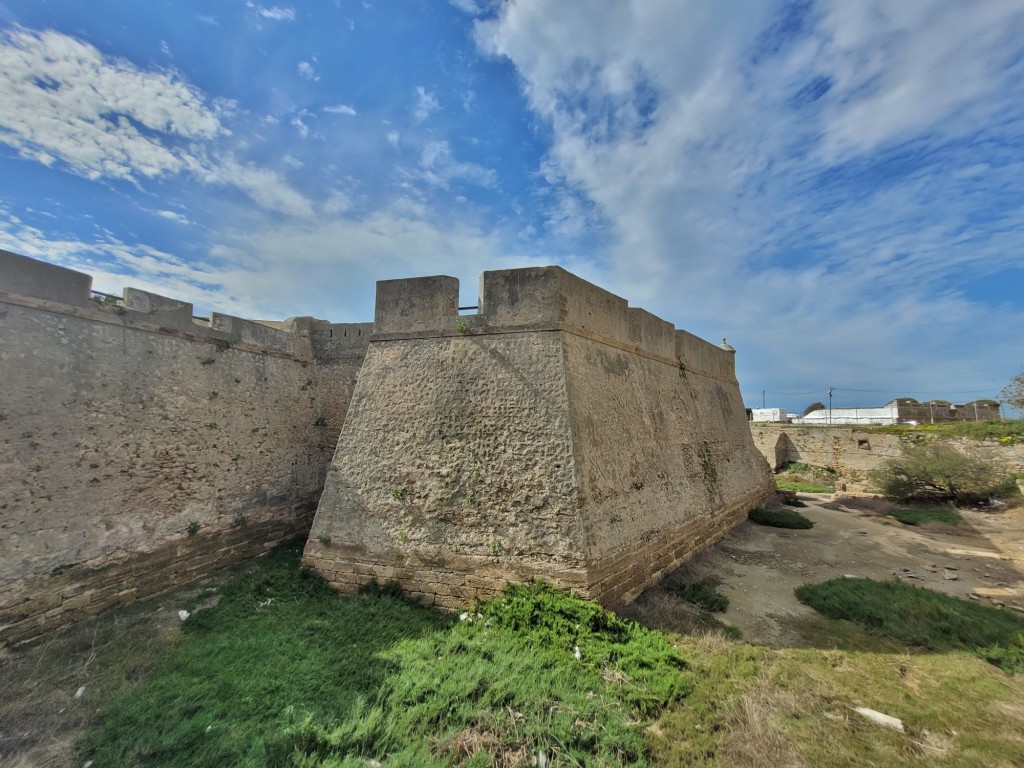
286 672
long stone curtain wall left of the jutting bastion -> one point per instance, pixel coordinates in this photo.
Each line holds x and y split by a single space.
140 449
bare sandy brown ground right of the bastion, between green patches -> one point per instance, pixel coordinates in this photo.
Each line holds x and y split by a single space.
758 568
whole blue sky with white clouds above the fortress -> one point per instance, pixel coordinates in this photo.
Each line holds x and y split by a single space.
837 188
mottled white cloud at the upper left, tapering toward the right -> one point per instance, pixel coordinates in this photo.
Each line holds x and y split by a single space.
64 102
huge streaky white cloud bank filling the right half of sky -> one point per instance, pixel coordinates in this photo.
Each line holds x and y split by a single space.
706 144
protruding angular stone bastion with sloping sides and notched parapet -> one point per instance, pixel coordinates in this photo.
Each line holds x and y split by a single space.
556 434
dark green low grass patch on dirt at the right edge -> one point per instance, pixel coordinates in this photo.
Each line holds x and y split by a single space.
921 618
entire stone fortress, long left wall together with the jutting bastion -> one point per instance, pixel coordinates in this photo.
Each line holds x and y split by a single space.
556 434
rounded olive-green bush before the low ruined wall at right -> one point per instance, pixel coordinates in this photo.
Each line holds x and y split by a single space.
932 472
